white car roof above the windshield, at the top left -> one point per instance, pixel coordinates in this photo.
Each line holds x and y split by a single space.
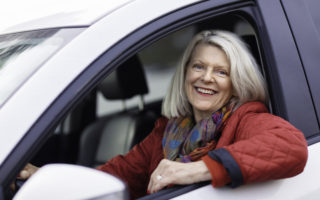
80 14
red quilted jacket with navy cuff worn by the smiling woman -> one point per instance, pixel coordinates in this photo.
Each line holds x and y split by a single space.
254 146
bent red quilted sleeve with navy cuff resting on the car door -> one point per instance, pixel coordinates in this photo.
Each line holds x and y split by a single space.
265 147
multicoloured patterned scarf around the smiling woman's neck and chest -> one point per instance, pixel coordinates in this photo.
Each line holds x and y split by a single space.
186 141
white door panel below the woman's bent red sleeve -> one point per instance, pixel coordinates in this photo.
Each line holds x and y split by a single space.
304 186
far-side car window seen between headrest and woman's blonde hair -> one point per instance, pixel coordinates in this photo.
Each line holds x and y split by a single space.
159 61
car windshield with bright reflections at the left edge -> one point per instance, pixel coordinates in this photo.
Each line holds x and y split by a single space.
21 54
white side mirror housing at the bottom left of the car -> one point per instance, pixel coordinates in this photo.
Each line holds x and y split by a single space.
65 181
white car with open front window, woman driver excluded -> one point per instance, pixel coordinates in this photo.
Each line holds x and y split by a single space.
76 86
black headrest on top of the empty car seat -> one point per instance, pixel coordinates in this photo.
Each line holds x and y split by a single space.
125 82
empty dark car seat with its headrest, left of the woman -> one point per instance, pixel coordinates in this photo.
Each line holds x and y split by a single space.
118 133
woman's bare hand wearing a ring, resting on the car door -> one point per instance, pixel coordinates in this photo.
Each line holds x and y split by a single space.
172 172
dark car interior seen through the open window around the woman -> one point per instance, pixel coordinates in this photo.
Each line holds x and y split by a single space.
122 109
